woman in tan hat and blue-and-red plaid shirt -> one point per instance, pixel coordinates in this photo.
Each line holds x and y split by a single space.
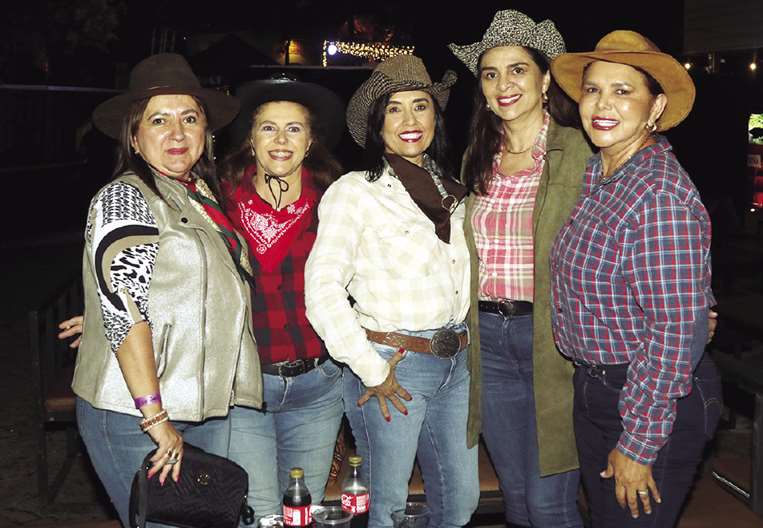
631 288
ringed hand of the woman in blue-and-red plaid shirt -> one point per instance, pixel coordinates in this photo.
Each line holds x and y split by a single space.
633 481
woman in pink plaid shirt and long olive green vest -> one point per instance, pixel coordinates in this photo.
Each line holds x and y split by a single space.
524 166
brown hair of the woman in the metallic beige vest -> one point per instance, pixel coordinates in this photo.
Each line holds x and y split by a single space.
129 160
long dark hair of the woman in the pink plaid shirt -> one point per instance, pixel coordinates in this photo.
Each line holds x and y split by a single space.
486 131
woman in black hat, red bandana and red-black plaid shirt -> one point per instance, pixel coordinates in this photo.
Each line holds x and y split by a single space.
273 183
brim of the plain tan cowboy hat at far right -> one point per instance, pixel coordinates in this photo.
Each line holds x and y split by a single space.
675 81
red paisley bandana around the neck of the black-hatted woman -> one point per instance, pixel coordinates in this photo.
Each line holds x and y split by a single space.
268 232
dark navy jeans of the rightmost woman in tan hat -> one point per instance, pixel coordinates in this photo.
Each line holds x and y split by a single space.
598 427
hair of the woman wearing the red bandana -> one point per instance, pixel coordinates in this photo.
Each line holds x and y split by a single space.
325 169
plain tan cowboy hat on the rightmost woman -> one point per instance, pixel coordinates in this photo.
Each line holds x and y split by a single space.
631 48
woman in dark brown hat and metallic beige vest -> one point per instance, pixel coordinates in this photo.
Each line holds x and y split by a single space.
167 346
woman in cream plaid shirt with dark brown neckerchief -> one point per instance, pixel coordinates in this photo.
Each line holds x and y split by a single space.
391 237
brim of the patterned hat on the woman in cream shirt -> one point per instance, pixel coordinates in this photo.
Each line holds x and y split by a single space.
378 85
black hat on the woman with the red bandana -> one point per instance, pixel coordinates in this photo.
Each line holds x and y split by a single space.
325 105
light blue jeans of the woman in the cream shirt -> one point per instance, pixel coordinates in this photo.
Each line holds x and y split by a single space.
434 431
